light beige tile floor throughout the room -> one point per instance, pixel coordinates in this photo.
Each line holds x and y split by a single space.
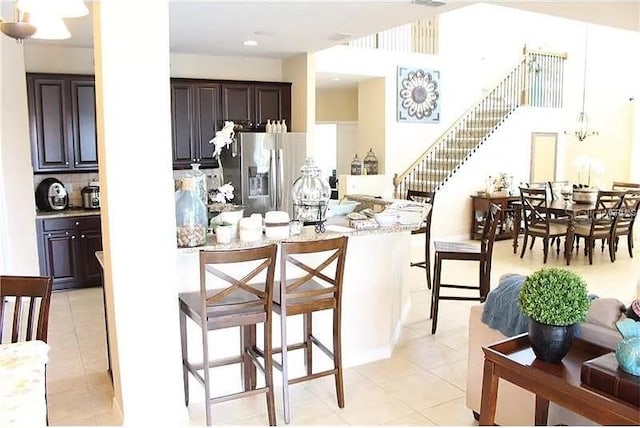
423 383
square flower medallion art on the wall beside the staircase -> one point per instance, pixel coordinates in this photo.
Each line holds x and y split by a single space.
418 95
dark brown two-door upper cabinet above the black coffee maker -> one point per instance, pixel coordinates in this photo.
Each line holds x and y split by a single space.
62 121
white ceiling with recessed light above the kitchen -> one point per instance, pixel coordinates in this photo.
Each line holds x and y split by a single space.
288 27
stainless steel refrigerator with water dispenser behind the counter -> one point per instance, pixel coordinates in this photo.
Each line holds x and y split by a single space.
262 168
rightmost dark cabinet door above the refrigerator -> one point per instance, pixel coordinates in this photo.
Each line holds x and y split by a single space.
272 101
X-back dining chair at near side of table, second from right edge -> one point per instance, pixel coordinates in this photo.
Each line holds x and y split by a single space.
601 223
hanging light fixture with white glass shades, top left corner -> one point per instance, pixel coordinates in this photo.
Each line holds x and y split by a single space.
42 19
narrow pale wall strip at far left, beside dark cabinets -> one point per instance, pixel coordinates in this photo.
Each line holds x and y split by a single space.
18 253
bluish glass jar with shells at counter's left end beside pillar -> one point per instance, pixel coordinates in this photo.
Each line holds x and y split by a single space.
191 216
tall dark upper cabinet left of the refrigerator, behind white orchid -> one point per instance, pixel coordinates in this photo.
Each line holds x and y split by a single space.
195 113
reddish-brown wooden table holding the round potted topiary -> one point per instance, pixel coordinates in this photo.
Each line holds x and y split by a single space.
514 360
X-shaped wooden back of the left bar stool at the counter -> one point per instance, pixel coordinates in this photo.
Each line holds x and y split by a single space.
247 276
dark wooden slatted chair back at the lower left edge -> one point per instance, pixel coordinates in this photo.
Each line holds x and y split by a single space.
20 294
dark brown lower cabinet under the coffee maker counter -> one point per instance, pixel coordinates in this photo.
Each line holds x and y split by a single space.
67 247
